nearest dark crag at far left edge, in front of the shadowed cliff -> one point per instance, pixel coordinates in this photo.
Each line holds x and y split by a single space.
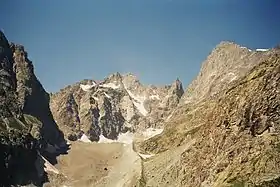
20 133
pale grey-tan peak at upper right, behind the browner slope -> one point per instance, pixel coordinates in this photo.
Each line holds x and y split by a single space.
226 63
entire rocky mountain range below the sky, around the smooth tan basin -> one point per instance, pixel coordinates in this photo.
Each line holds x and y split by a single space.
222 130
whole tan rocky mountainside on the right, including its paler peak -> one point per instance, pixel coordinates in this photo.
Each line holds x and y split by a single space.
229 139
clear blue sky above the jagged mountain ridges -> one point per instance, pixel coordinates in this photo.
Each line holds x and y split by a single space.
157 40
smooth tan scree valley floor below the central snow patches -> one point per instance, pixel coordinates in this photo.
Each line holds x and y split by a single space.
99 165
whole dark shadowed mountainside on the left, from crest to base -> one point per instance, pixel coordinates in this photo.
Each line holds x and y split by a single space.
24 133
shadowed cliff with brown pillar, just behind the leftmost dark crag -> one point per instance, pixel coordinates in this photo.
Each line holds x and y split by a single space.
33 99
